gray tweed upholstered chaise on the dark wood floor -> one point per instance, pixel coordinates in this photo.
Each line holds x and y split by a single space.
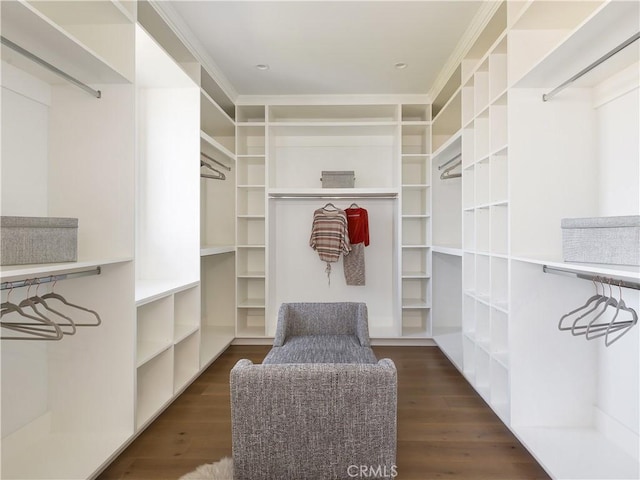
297 419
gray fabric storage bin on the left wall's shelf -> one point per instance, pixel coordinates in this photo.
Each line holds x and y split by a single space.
27 240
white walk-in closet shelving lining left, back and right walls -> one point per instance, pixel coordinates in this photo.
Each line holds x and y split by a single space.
195 201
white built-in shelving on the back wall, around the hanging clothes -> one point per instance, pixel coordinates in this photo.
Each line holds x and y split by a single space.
282 149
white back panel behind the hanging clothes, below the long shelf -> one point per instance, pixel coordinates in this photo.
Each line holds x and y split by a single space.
298 275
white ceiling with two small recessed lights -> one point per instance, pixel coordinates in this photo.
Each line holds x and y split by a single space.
326 47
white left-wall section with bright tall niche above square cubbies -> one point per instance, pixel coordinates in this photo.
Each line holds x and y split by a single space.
168 221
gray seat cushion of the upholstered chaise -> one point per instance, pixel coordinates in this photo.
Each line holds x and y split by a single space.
321 349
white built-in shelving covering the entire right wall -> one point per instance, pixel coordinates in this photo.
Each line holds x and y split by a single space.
526 164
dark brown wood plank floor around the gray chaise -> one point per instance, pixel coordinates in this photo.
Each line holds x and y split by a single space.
445 430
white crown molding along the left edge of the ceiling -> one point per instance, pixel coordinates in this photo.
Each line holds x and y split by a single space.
186 36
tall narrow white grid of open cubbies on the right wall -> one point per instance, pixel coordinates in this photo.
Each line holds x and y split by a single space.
485 206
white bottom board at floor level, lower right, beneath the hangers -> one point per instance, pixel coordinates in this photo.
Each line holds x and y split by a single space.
577 453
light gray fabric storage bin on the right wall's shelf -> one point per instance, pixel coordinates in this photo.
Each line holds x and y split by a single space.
612 240
